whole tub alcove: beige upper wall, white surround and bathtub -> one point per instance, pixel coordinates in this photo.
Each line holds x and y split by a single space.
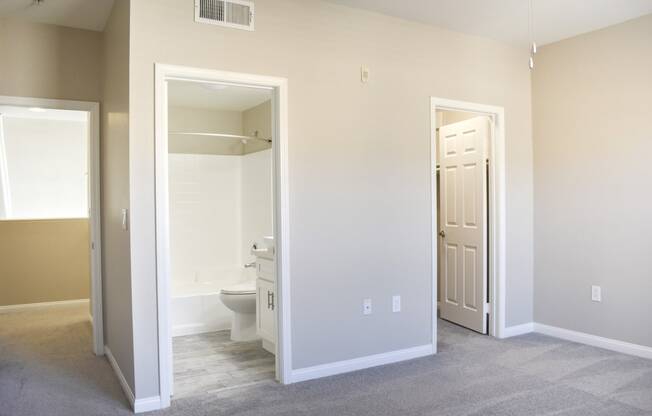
220 203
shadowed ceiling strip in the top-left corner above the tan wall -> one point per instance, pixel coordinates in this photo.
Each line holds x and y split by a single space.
80 14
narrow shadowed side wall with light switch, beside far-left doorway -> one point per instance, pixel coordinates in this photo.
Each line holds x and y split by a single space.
115 189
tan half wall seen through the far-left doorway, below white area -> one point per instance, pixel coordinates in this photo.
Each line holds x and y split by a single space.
44 261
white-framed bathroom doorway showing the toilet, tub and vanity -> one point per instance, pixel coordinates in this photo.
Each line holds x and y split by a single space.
219 228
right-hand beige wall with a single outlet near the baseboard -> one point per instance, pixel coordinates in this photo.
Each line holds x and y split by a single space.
592 104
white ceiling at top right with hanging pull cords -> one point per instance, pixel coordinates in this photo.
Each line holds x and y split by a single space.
506 20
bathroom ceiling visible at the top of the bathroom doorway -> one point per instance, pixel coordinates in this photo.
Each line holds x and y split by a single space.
215 96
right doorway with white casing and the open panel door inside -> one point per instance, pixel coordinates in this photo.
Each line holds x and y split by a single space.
468 218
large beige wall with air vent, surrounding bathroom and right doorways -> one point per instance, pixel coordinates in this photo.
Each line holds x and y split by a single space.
358 161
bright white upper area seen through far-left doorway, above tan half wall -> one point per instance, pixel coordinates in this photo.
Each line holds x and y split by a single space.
47 166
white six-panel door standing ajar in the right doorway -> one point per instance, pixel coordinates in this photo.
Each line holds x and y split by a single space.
463 214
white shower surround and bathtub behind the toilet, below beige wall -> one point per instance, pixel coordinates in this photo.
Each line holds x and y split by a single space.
219 205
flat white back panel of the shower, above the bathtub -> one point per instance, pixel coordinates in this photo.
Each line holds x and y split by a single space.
205 218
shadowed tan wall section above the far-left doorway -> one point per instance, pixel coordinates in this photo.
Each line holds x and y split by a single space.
46 61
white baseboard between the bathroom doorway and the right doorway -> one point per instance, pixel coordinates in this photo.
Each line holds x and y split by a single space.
355 364
